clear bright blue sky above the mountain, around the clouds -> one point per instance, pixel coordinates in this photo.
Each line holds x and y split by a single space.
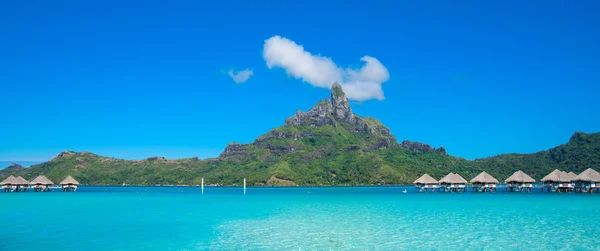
146 78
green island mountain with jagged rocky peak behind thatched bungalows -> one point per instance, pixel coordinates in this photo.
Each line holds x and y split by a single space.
327 145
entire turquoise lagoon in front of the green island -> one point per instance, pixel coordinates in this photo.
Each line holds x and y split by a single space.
367 218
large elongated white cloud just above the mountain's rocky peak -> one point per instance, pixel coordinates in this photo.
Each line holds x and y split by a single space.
358 84
